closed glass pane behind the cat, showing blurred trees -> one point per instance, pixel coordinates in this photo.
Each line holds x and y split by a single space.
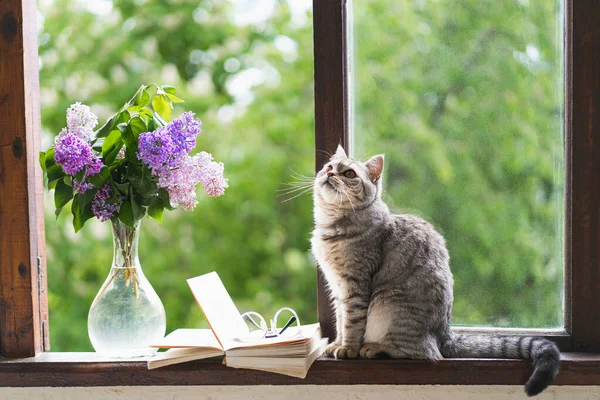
466 101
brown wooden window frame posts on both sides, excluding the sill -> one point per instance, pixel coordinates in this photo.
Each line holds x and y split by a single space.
23 294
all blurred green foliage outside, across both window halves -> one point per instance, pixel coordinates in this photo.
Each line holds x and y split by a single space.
468 115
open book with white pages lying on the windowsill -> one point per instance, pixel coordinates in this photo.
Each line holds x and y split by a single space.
229 335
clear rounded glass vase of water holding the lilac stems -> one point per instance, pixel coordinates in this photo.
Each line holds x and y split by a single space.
127 314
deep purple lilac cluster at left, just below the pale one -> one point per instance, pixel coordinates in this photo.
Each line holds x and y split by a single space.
71 152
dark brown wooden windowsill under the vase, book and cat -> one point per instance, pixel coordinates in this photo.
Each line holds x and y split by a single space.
88 369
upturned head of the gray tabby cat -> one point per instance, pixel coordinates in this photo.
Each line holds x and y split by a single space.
347 183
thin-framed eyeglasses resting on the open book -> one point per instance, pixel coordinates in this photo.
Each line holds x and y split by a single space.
259 330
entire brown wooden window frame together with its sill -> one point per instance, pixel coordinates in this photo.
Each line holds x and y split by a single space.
23 295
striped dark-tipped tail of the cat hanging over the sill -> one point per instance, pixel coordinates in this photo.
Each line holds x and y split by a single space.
543 352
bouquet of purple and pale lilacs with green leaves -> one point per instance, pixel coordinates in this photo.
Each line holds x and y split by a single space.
137 163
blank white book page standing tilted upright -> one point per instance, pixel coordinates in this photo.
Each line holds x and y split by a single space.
218 308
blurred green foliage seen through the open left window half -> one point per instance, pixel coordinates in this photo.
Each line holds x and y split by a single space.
246 68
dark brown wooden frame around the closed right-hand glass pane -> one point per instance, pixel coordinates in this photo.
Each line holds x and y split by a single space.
581 331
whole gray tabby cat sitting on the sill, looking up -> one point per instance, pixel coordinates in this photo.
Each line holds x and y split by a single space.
390 281
